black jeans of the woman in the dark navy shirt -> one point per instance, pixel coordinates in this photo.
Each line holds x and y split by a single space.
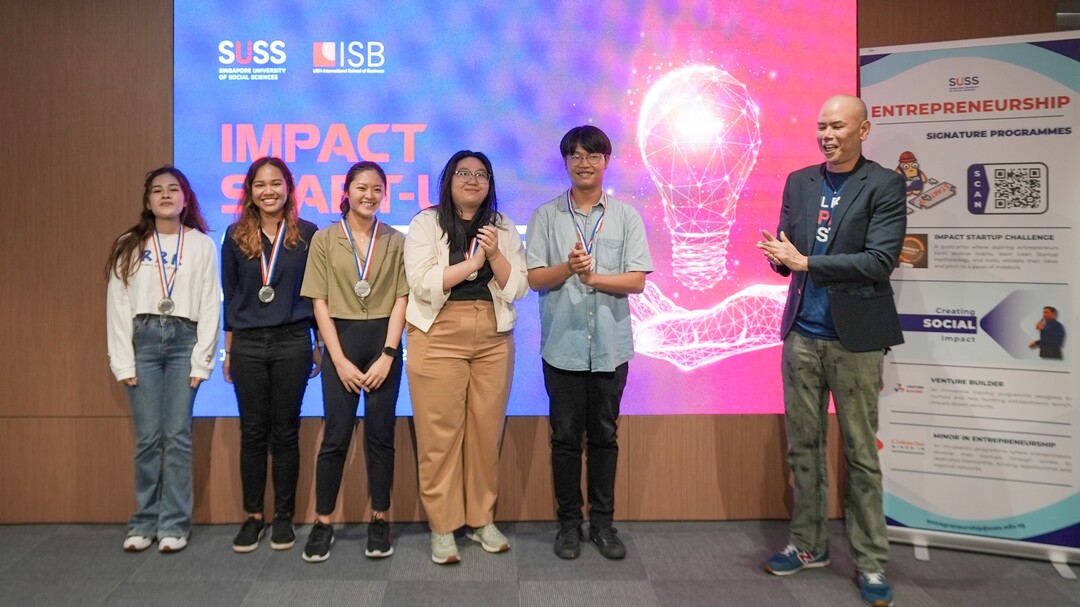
271 369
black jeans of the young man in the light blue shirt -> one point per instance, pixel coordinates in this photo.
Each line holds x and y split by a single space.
585 404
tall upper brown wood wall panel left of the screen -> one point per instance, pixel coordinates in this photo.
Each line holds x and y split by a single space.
86 110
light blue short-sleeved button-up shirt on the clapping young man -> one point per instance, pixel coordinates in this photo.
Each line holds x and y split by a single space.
583 329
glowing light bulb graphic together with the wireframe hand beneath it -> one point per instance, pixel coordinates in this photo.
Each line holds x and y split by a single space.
699 137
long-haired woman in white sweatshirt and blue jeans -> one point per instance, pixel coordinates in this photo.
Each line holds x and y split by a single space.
164 315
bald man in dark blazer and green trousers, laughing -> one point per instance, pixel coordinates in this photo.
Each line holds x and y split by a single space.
841 232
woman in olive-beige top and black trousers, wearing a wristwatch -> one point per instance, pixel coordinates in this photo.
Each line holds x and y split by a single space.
356 279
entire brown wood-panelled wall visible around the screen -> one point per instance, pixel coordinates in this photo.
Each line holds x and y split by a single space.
86 111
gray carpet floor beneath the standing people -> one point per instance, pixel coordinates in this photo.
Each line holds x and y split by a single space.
668 564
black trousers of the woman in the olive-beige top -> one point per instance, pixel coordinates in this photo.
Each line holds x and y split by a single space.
362 343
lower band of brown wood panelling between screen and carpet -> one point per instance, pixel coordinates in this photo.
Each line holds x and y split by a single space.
670 468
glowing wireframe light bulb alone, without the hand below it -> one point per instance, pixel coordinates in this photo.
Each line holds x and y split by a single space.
699 137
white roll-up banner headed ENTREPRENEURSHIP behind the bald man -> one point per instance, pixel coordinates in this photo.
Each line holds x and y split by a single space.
979 420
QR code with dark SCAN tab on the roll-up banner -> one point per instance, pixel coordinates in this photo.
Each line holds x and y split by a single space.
1008 190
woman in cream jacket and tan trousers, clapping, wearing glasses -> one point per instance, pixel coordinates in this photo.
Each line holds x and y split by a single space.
466 268
